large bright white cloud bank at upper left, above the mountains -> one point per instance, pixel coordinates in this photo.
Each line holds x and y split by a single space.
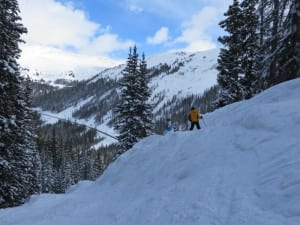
73 39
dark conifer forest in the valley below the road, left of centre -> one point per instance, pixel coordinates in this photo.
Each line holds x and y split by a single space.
68 155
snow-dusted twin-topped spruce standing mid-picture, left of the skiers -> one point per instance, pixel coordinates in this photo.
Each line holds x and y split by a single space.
133 113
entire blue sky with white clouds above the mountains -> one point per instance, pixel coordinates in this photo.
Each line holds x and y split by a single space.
76 32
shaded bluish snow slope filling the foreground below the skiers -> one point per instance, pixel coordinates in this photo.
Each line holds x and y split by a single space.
241 168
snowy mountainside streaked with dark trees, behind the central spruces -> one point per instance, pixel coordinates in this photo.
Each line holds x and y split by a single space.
173 77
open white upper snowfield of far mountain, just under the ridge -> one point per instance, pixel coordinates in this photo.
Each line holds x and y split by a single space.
188 73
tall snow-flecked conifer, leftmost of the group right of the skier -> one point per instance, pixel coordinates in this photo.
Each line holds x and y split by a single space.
229 60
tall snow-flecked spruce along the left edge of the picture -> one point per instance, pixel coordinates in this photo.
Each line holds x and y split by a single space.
16 153
